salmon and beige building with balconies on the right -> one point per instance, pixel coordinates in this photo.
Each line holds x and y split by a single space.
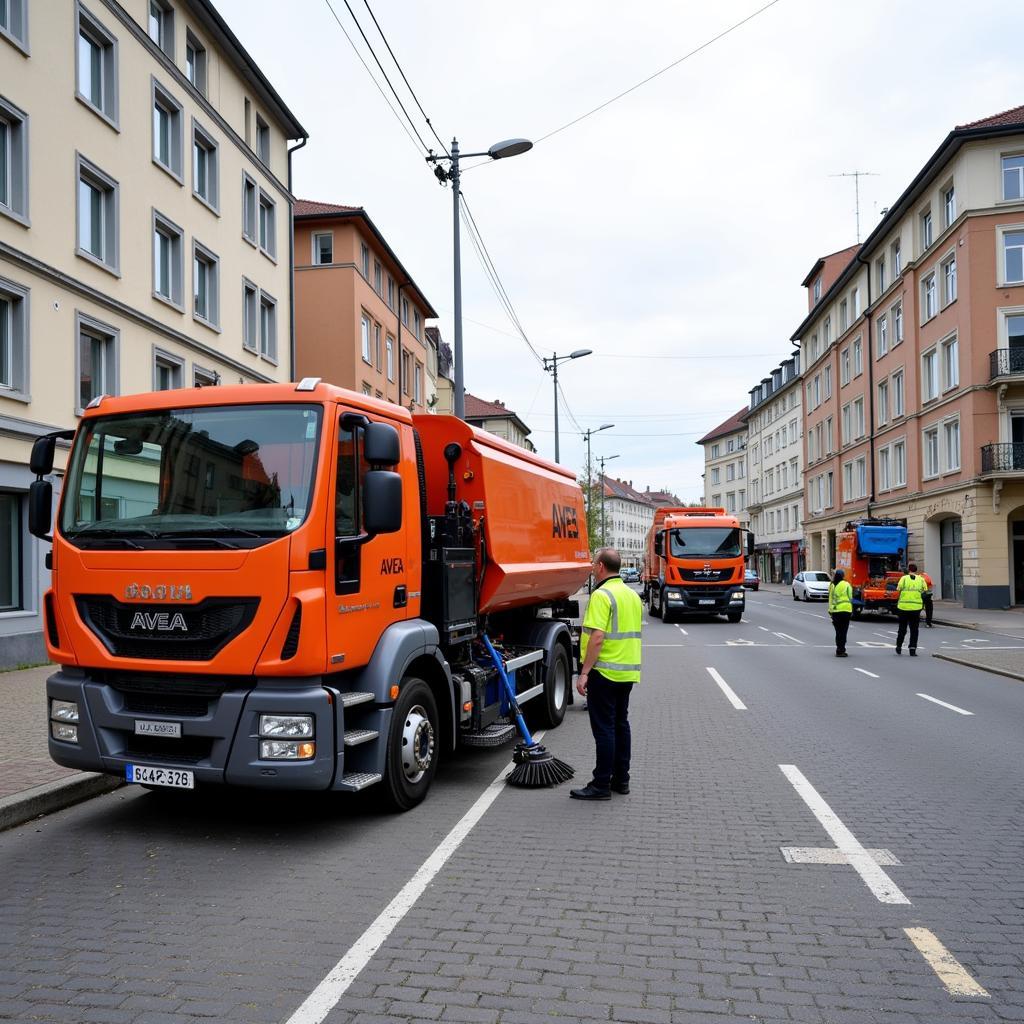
915 373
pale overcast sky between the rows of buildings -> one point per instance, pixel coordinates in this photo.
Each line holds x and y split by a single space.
679 222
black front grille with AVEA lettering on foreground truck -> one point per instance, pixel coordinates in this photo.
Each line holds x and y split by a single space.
166 632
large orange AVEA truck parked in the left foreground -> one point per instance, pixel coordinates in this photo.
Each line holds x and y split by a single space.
287 586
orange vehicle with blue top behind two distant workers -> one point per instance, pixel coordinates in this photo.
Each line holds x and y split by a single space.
873 553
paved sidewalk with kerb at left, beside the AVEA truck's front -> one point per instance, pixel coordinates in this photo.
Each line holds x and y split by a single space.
30 783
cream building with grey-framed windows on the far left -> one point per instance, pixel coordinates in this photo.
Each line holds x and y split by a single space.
145 227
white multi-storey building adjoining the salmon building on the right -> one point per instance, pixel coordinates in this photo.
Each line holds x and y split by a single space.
776 484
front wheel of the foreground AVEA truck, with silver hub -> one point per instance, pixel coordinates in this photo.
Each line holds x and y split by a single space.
413 746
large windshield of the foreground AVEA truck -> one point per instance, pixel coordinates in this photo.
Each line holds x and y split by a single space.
242 473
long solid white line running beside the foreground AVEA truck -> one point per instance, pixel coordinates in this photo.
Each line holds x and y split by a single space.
328 994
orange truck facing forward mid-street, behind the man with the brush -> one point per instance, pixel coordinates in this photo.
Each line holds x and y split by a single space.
695 563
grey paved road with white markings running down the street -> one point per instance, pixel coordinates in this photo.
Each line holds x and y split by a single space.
900 898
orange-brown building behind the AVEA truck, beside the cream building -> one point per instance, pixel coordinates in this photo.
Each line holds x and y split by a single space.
361 320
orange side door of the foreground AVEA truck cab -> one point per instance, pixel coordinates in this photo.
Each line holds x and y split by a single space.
368 575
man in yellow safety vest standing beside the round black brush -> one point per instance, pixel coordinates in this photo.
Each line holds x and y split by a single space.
611 652
